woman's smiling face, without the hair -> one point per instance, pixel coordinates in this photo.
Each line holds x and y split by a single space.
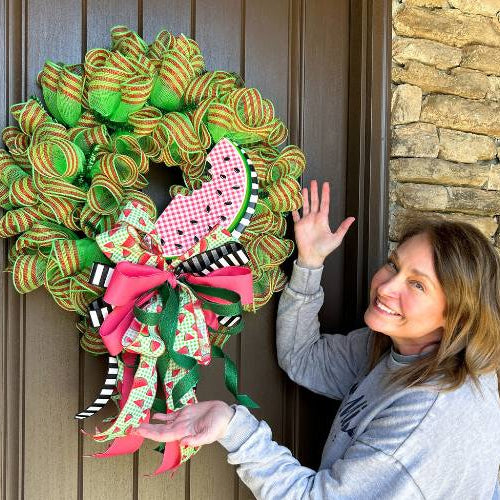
407 302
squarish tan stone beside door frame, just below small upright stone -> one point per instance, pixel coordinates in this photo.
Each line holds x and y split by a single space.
419 140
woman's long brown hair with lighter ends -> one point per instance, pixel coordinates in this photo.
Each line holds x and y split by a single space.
468 268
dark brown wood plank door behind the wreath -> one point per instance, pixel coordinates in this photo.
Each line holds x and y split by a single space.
324 65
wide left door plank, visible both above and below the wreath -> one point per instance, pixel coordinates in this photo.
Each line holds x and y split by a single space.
51 352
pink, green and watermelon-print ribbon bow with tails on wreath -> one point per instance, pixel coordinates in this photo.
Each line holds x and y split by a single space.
165 316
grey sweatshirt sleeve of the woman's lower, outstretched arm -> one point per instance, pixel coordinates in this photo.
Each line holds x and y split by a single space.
272 473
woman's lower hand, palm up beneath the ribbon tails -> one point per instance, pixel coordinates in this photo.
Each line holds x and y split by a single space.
194 425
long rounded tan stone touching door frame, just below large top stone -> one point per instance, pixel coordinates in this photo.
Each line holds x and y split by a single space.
425 51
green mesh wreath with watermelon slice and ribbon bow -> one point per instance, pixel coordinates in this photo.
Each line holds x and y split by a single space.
159 296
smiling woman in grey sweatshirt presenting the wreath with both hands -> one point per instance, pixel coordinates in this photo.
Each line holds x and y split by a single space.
420 416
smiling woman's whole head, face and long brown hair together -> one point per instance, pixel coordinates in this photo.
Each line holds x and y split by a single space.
457 303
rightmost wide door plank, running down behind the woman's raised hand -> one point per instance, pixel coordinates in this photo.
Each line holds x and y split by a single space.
325 120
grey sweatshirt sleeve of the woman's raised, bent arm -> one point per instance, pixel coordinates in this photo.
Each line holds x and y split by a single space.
326 364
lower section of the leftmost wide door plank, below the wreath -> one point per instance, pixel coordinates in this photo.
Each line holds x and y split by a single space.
51 399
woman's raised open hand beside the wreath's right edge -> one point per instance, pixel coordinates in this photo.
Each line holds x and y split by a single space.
313 235
